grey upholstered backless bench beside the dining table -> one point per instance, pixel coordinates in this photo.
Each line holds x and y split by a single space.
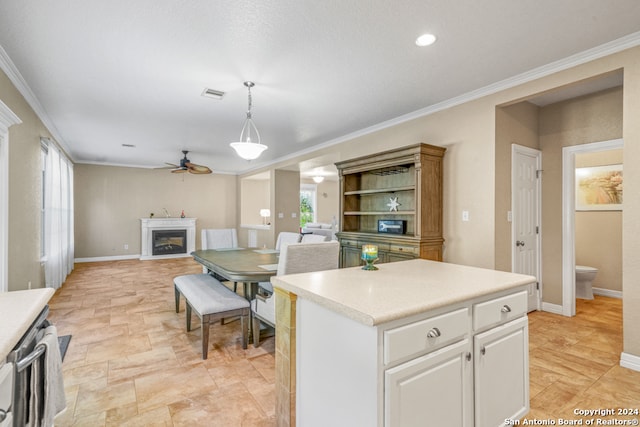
212 301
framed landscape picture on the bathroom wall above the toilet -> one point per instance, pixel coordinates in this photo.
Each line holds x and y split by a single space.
599 188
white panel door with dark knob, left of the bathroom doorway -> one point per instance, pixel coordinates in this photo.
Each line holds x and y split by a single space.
526 167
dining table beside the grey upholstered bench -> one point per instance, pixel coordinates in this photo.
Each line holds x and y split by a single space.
247 266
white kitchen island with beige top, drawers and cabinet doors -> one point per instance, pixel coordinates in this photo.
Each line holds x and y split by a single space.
415 343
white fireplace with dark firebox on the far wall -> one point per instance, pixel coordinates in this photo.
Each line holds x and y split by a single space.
167 237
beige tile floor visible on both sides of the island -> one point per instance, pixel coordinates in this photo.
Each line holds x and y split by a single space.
131 362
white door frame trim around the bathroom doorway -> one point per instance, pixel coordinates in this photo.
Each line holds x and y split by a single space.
568 215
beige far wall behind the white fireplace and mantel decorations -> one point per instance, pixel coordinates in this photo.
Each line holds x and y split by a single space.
109 202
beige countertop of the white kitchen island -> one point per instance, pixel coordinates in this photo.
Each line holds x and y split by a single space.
398 289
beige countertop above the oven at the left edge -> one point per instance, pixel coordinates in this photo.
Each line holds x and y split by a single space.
18 310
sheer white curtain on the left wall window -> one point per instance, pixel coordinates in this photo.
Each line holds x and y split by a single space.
58 220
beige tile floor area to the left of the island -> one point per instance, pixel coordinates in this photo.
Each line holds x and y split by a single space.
132 363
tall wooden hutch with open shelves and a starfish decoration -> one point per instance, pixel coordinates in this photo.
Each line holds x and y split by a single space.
392 199
